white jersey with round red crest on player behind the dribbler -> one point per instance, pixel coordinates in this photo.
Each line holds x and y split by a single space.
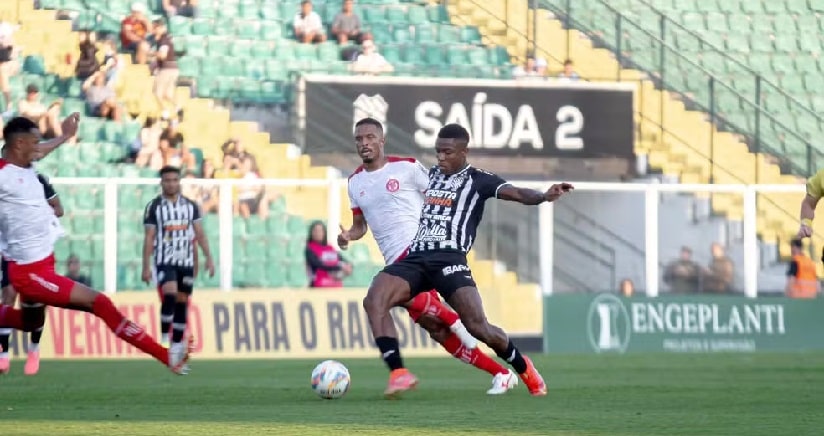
390 199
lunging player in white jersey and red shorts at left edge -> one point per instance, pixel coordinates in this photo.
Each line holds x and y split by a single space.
28 233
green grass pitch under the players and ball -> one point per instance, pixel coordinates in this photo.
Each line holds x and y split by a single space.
656 394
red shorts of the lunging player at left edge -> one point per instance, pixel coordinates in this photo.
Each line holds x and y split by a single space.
38 283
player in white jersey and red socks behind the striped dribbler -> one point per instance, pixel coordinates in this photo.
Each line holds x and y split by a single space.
386 194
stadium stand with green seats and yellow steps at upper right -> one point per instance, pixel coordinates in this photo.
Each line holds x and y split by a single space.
675 130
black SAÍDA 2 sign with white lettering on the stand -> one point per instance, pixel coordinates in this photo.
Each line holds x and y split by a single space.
506 118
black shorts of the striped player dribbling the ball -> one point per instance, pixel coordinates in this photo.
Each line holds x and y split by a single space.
445 271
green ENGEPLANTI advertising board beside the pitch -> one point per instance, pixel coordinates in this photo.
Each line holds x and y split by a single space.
608 324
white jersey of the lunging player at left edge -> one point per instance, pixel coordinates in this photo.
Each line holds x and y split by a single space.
27 222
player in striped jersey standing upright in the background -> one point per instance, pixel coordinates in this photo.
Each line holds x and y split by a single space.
173 231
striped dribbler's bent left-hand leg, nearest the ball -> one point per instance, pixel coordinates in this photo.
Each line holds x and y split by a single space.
386 292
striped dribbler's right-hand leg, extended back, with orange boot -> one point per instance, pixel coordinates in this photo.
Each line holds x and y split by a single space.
467 302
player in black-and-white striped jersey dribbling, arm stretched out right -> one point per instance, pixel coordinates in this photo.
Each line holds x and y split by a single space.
453 208
